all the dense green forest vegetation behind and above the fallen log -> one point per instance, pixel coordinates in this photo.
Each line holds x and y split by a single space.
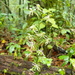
37 30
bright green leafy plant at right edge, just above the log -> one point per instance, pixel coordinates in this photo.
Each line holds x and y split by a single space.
68 58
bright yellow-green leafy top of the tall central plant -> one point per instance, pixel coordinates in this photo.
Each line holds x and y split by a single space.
43 19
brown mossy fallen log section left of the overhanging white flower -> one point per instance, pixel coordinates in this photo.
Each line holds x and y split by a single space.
14 65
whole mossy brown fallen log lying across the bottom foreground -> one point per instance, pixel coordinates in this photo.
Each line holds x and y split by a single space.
18 66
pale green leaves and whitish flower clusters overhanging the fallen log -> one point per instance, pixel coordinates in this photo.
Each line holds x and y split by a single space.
39 60
